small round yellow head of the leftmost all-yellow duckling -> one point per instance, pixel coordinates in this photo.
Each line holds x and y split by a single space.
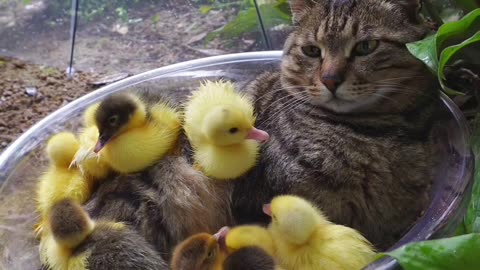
61 148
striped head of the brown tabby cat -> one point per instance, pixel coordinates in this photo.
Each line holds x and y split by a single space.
350 55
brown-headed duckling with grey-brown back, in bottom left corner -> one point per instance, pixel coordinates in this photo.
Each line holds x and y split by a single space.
76 242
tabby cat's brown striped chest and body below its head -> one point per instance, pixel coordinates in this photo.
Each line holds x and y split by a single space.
375 182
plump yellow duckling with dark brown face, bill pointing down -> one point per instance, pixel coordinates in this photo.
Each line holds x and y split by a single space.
133 135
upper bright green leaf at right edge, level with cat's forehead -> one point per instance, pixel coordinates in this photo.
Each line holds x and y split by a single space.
455 32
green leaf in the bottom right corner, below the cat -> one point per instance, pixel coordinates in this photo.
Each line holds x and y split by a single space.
459 252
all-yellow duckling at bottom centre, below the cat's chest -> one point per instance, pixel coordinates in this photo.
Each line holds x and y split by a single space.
305 239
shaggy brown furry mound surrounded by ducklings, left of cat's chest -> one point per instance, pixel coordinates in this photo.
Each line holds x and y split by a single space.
167 202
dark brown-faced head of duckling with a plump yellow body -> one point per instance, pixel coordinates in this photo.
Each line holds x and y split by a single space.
116 114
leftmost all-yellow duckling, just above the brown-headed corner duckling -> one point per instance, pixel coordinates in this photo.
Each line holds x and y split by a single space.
59 182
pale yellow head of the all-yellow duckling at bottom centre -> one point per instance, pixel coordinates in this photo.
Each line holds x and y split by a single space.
293 218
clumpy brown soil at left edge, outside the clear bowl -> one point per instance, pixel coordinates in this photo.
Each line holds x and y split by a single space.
29 92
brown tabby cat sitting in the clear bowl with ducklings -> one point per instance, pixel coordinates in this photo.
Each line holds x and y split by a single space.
350 115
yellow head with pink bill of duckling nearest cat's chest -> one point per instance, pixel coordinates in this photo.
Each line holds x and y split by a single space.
228 126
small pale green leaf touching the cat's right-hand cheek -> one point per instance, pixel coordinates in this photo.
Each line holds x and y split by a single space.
426 51
